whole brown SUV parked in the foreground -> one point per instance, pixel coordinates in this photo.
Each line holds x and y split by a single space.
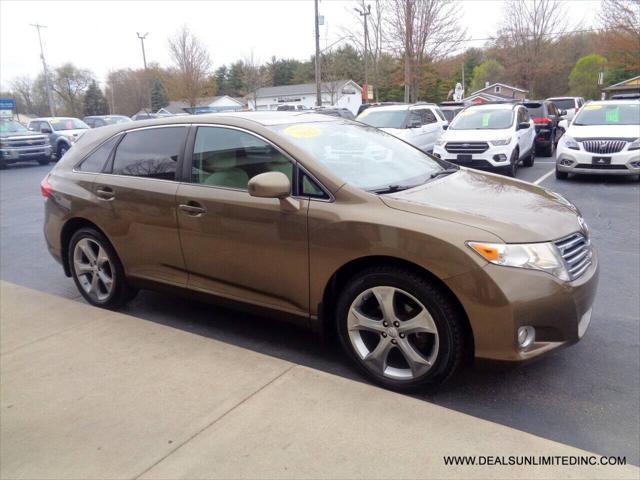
414 264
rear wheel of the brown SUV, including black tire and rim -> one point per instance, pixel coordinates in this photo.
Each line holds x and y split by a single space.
91 255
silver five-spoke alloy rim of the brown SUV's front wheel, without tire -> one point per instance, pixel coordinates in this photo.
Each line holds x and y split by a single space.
392 333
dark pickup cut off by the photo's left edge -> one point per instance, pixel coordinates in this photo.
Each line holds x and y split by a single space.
19 144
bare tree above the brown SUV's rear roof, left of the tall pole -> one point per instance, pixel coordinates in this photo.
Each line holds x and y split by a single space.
193 64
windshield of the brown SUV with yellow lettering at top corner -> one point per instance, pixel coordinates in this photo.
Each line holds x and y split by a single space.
361 155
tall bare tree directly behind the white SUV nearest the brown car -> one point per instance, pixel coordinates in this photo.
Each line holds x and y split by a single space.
422 31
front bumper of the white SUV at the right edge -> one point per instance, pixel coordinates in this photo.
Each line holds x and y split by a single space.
579 161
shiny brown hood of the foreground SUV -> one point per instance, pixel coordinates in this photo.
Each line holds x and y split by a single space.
515 211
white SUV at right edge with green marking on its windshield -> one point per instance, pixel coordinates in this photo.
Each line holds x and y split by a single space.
604 138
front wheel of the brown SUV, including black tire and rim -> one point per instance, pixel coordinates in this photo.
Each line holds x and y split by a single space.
443 347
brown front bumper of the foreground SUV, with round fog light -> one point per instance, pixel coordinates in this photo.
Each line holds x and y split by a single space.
498 300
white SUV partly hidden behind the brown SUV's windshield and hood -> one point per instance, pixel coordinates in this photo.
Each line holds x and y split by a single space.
420 124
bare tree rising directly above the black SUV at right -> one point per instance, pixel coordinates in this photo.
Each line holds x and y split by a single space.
529 28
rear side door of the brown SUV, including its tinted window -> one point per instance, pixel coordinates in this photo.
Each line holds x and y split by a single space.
135 200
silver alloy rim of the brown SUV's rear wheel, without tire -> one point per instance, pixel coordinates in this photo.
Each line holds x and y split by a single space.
94 269
